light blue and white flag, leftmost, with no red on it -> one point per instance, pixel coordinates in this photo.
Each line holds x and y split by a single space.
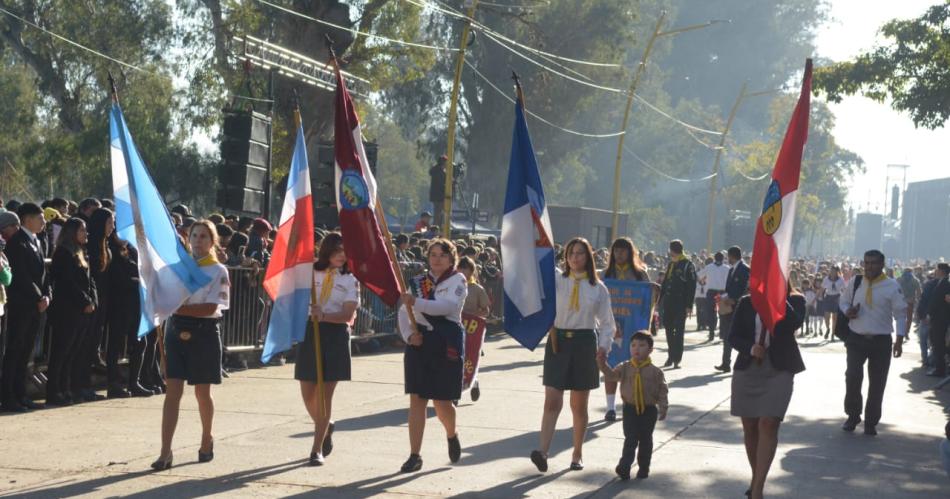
167 273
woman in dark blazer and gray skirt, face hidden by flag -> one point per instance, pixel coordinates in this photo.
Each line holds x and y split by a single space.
763 380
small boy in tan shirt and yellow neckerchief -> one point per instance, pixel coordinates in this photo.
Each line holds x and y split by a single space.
643 390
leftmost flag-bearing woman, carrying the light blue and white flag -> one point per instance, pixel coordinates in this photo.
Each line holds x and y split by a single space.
193 345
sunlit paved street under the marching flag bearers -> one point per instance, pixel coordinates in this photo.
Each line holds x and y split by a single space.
263 436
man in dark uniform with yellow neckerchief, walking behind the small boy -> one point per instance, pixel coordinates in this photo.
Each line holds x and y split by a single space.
679 288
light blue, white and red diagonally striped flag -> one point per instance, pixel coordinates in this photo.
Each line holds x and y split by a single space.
289 275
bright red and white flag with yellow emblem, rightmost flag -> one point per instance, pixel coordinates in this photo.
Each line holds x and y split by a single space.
768 279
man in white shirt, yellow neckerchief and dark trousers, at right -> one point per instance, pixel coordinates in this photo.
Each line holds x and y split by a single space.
872 309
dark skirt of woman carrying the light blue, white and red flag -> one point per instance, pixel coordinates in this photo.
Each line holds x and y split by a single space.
335 350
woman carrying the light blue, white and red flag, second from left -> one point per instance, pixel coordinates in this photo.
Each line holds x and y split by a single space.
335 310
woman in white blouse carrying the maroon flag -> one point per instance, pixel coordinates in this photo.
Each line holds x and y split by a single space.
435 350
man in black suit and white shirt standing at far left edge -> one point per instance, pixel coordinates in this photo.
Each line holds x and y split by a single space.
28 298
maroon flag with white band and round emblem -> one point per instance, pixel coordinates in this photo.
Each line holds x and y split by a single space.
366 252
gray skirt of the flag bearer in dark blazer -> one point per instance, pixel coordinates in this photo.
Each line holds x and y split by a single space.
761 391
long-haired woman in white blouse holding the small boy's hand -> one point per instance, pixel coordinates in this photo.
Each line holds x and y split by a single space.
570 356
